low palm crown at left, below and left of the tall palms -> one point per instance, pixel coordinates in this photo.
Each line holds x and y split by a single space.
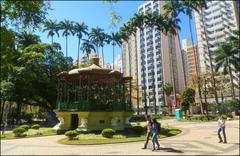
27 38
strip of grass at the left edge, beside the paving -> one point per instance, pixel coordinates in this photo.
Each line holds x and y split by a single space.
31 133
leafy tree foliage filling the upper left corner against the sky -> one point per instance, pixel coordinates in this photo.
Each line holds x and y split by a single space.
25 14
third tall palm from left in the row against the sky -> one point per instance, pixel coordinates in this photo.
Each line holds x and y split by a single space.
80 30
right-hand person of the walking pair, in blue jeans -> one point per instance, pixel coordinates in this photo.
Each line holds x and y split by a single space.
155 129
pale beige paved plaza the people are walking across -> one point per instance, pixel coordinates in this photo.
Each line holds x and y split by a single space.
196 139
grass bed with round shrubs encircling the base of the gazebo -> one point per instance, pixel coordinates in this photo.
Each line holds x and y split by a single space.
120 137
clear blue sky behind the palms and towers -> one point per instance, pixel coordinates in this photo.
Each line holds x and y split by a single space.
95 13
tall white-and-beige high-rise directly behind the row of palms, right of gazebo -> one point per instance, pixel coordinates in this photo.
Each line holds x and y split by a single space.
155 57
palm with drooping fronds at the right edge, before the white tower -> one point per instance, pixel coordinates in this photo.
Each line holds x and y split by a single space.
226 57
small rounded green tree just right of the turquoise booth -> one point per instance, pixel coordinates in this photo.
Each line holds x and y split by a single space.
187 99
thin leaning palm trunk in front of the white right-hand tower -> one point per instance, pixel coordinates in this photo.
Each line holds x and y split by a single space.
210 59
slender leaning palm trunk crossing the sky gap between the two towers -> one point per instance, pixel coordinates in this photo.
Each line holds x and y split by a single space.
196 66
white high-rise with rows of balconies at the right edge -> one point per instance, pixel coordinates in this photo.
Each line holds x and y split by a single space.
214 25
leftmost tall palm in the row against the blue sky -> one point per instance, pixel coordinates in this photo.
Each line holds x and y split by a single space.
52 27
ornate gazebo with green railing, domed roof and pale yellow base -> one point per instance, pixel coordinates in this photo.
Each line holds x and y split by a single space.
93 98
